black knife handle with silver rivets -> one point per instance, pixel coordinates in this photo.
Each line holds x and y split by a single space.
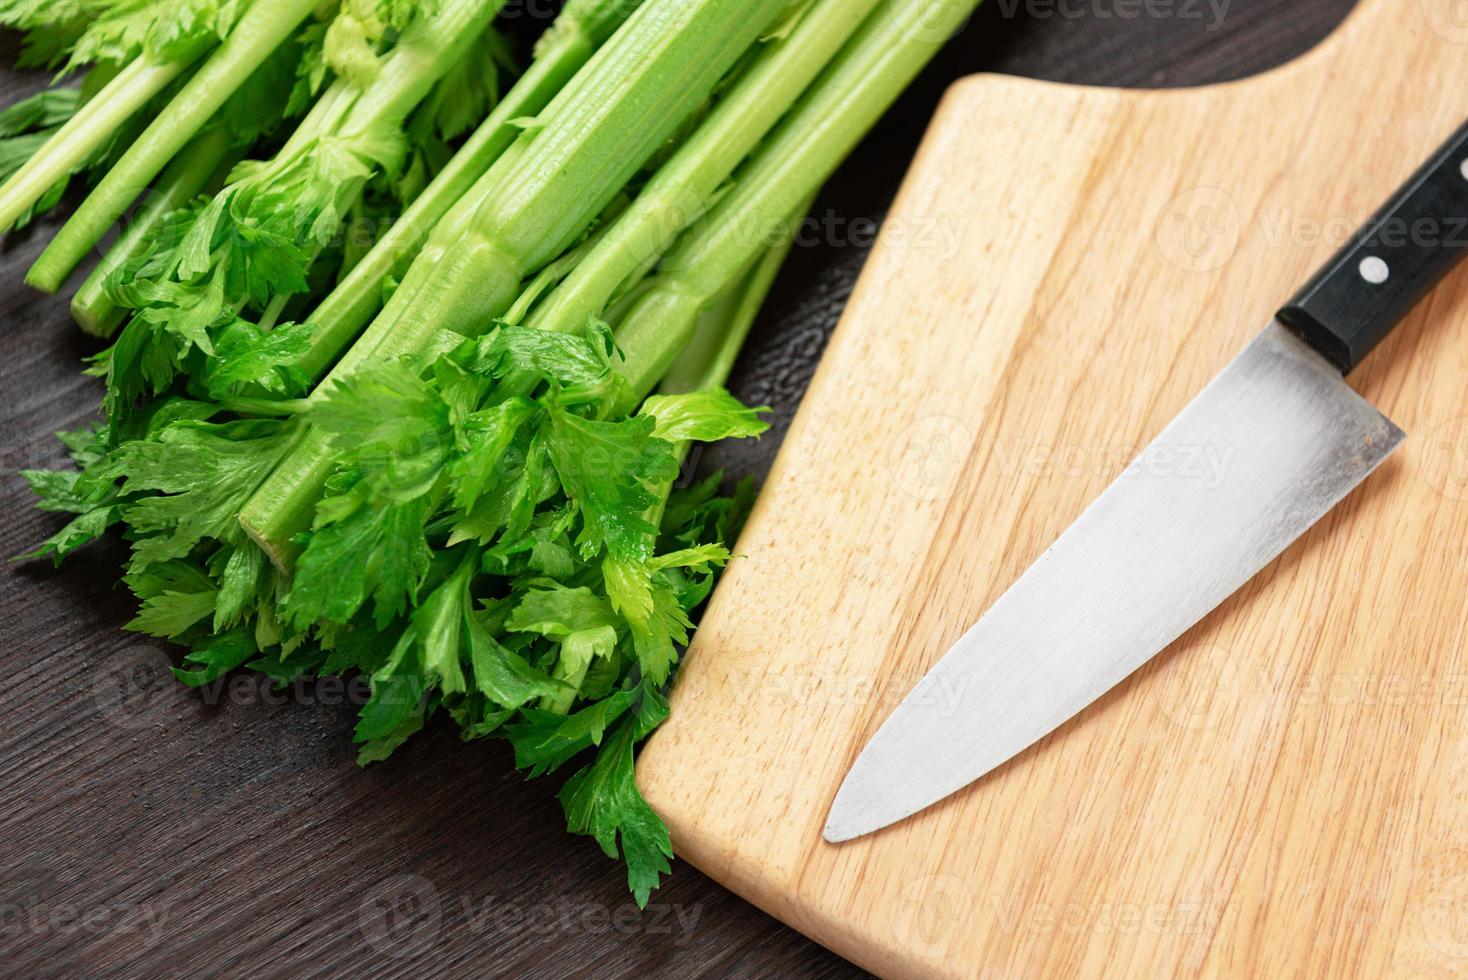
1391 265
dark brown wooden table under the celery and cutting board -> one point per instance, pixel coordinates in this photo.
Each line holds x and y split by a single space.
146 833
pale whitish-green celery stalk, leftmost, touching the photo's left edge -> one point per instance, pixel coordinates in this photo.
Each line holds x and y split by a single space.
93 125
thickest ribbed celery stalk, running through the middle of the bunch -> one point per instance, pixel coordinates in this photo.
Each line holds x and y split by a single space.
532 205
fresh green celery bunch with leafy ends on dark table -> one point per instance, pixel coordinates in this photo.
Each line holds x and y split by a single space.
448 458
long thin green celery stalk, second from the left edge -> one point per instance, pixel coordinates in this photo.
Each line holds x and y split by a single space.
262 29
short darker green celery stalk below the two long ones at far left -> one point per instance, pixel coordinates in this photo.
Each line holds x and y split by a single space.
202 165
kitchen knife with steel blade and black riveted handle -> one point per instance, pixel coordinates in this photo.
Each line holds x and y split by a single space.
1165 545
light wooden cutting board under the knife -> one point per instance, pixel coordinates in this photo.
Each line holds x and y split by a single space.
1285 791
